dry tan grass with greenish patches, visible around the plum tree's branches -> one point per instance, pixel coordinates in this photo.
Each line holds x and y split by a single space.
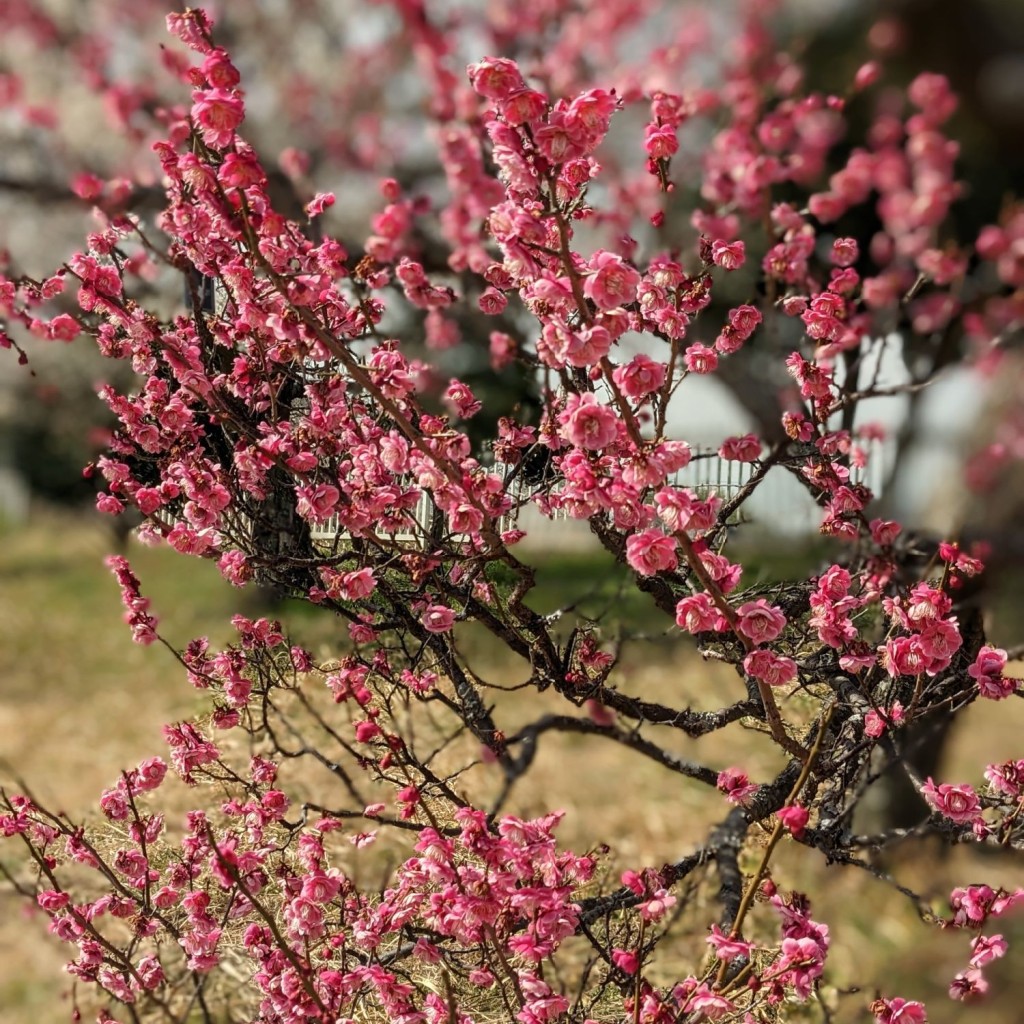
79 703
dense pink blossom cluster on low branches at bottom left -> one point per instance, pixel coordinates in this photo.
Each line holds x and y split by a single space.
505 889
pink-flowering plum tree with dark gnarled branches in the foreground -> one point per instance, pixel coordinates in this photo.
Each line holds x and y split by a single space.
292 393
